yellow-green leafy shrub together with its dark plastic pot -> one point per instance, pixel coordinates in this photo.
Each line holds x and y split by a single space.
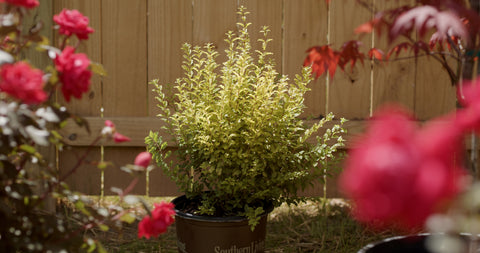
242 147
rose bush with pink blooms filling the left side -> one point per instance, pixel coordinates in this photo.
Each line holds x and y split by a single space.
30 119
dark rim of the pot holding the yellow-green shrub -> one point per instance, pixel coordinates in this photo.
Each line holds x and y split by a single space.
189 216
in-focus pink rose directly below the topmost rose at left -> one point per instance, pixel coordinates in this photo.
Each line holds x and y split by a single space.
74 73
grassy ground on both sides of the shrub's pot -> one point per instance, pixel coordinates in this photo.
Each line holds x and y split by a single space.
311 227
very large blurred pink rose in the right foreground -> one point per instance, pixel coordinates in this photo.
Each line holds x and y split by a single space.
397 175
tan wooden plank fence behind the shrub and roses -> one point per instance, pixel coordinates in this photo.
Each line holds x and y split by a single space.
140 40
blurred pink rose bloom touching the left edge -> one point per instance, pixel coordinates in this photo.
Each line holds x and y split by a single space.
23 82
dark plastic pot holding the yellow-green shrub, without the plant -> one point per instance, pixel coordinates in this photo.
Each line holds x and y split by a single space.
199 234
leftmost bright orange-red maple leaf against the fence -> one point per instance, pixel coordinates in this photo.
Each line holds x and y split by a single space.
321 59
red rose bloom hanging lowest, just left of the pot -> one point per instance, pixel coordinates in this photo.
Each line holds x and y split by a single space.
161 219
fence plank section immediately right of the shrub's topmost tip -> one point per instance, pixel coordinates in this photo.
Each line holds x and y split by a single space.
266 13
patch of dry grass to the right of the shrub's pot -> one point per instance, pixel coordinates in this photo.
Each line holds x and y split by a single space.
318 227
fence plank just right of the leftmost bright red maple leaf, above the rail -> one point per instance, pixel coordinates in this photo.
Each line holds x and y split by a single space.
349 95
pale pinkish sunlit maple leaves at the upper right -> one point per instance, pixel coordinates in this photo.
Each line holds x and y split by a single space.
424 18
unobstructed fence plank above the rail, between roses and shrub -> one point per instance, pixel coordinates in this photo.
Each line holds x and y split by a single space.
124 42
